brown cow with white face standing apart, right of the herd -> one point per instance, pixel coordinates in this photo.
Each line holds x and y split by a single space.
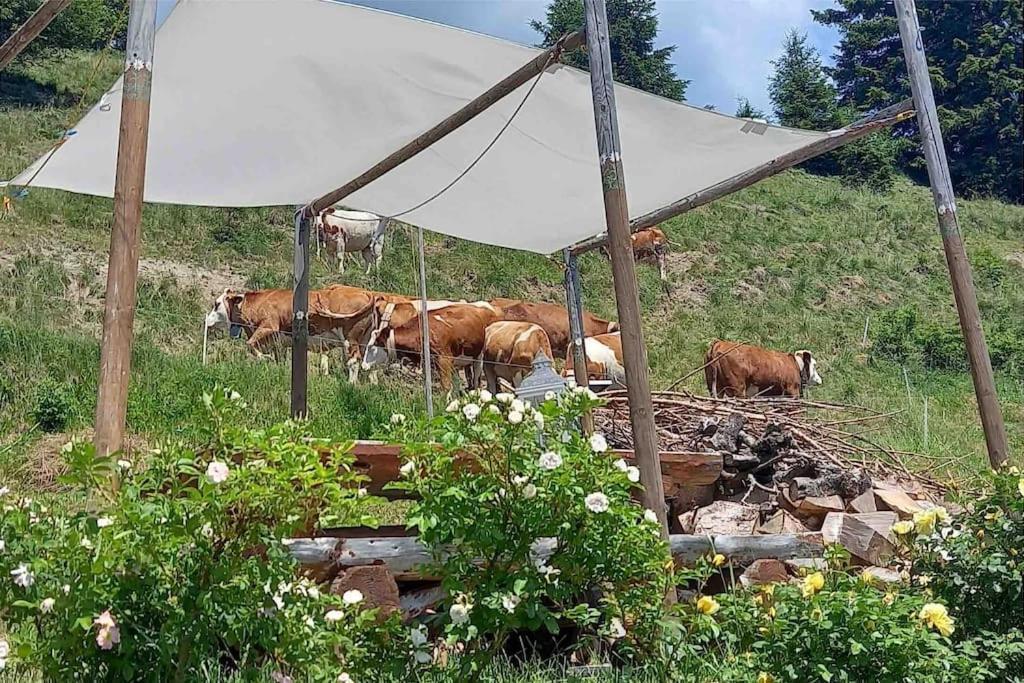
740 370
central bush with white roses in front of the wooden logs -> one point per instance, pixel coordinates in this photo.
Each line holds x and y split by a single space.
533 526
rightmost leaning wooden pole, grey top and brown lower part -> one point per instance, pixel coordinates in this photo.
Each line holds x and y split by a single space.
946 206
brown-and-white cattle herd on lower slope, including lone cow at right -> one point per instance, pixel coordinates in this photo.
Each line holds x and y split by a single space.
495 340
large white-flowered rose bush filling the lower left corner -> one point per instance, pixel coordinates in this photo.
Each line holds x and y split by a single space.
185 568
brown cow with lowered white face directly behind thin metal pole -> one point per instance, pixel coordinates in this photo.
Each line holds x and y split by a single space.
457 338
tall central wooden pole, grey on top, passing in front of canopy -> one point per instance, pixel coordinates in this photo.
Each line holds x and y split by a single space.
627 300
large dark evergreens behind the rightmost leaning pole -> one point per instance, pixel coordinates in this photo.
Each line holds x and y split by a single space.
975 59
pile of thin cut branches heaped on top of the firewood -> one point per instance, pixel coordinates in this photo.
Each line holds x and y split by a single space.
767 442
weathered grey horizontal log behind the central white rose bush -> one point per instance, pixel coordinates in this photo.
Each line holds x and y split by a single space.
408 560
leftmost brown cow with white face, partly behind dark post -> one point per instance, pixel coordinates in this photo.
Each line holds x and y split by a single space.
266 318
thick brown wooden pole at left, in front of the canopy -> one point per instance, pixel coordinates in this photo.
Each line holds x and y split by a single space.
122 273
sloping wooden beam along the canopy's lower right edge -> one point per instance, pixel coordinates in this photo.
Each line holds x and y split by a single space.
837 139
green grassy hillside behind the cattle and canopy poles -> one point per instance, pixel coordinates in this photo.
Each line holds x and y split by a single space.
796 263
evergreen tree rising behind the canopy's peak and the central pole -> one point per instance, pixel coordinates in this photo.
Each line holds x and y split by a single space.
632 30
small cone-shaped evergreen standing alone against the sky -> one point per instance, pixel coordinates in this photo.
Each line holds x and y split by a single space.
799 90
